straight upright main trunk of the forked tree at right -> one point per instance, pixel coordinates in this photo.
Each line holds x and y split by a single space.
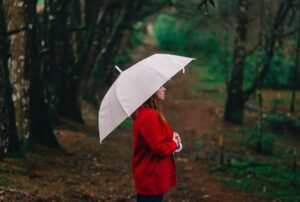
235 103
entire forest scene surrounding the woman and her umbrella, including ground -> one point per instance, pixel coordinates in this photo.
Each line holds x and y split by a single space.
237 107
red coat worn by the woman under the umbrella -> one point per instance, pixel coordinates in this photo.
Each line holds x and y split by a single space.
153 165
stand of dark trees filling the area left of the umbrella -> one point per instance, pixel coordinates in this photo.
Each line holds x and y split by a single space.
53 50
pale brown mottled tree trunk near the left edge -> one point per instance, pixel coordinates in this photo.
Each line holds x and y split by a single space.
19 17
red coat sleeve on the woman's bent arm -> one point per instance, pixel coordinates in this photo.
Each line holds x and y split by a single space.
150 130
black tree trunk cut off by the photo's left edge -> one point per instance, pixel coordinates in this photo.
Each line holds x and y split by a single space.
8 132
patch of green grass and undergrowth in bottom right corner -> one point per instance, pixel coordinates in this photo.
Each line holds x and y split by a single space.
266 174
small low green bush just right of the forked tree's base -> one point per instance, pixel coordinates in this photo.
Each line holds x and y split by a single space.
259 140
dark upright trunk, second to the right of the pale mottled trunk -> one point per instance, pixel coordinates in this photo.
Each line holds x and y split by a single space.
68 104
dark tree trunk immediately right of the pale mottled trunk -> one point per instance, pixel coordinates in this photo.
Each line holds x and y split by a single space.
41 121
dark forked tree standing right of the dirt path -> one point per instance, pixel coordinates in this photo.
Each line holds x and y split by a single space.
236 95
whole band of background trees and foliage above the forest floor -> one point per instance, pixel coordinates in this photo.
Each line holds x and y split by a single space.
56 53
